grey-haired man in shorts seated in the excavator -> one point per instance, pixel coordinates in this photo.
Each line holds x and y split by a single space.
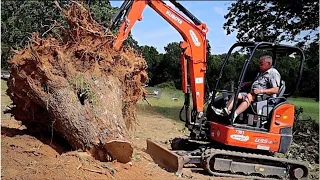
266 83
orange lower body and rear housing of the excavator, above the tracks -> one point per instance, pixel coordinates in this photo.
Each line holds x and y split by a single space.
282 118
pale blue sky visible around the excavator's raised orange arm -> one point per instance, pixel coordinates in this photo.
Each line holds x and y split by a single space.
153 30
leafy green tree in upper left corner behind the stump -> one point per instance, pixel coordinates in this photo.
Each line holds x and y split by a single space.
19 19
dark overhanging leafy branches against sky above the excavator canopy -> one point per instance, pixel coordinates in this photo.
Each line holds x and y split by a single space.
273 20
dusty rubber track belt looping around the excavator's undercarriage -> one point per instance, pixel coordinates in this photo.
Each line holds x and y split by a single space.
209 153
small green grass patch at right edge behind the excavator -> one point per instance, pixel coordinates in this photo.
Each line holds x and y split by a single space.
310 107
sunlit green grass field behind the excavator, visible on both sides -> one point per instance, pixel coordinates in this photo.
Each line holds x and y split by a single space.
169 108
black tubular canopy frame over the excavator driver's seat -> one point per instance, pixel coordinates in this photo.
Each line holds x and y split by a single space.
280 54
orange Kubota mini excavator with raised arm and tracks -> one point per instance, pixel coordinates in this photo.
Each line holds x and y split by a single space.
226 147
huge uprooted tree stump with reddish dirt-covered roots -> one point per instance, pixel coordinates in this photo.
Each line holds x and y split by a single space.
79 88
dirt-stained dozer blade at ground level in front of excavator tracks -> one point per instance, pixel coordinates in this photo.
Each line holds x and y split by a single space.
165 158
